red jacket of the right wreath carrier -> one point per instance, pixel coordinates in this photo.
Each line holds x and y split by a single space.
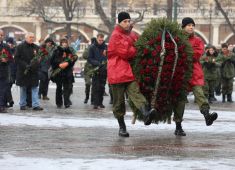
198 50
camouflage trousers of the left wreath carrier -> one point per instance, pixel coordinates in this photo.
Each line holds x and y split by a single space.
133 92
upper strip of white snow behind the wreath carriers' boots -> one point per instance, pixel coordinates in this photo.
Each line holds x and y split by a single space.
193 121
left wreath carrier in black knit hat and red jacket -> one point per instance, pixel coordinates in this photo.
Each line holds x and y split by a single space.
121 51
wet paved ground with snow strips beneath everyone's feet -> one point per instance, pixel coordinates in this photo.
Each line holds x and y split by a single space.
81 138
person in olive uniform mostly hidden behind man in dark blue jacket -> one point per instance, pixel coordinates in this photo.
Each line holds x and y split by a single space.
87 74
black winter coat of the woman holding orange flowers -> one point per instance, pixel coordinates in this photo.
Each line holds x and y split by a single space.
65 75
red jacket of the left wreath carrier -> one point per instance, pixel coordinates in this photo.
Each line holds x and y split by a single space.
121 51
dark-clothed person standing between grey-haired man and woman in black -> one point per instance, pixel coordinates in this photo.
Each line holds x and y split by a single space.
43 70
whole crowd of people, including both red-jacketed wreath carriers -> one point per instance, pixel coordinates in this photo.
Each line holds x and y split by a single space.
31 67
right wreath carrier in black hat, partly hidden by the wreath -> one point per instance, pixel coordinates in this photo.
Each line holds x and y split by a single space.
197 81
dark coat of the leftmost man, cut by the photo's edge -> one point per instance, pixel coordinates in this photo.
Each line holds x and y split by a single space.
4 67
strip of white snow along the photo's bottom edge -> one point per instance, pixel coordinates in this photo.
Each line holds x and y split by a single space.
13 163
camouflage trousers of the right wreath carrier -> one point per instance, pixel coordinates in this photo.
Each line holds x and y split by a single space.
200 99
